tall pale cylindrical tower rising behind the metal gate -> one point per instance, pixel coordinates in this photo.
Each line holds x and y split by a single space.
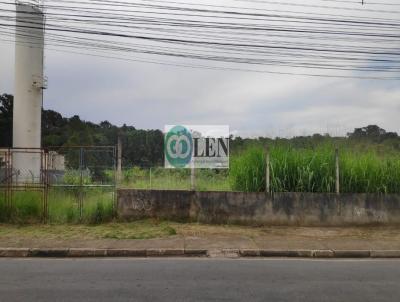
28 93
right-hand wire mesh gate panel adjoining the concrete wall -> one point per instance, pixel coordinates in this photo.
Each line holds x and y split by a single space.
83 184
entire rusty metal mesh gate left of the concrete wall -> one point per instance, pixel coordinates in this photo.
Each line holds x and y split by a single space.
64 184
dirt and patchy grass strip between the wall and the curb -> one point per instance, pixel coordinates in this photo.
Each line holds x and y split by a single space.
155 234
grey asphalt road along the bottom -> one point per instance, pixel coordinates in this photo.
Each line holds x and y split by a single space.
198 280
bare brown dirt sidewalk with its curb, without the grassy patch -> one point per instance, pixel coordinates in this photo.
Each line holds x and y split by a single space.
219 241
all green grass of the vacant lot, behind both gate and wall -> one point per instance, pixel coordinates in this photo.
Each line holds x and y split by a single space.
292 170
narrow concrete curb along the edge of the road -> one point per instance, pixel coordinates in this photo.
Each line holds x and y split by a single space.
215 253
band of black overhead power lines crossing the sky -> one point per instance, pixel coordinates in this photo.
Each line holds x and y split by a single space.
217 35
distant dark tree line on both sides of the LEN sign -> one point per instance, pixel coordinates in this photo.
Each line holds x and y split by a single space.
145 147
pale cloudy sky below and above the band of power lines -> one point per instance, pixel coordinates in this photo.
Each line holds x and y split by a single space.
149 96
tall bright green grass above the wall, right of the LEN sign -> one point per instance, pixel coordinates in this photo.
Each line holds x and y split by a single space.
313 170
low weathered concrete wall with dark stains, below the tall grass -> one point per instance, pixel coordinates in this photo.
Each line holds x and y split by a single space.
259 208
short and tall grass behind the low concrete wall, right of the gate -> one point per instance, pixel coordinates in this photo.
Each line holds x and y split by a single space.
291 170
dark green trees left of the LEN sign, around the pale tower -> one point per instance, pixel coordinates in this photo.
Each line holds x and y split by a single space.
140 147
